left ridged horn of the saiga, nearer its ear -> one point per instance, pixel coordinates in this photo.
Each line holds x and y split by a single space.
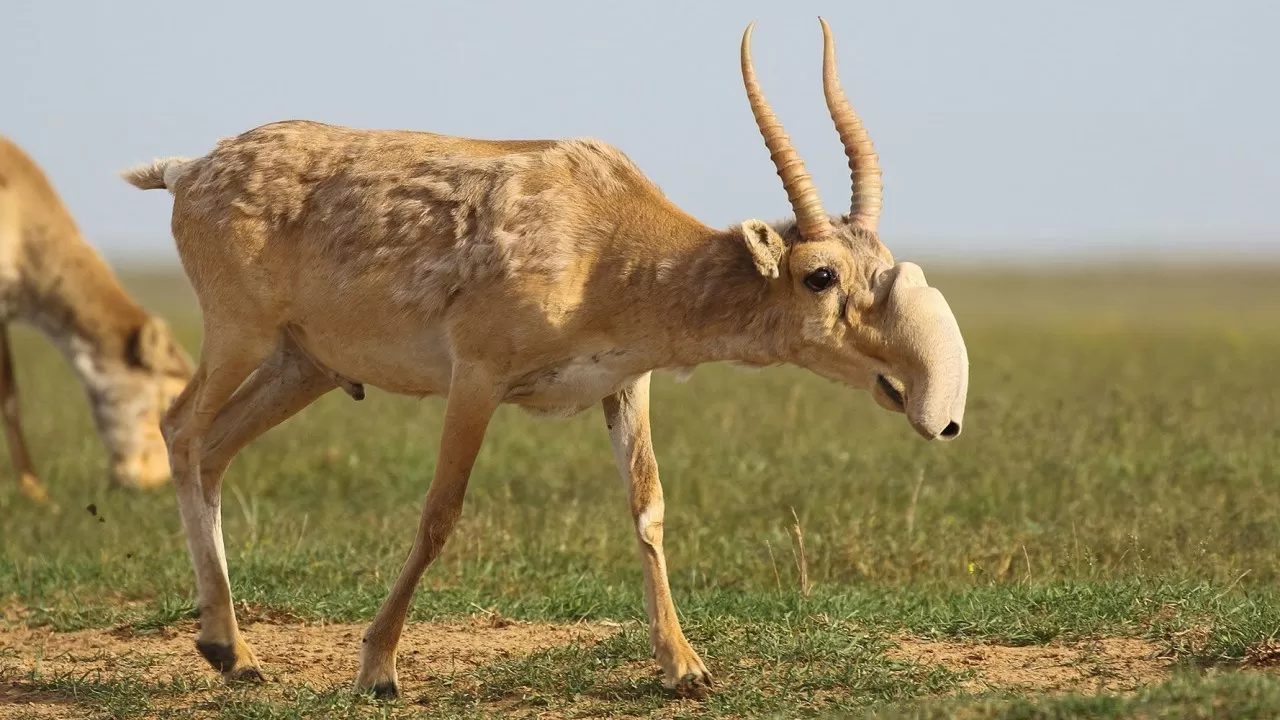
811 218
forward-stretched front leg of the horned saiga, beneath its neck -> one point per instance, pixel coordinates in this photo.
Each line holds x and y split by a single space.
628 417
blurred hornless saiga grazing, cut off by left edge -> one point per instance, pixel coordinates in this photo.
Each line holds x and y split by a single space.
127 361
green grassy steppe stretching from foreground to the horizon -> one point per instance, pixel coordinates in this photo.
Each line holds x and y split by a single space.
1117 477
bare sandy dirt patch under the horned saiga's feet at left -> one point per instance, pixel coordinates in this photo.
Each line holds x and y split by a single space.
321 657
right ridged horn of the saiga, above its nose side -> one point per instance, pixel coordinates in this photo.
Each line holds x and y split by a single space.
863 161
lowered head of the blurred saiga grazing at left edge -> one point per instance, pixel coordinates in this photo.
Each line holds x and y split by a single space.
130 398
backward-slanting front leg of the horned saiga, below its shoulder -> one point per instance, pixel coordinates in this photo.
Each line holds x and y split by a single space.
473 400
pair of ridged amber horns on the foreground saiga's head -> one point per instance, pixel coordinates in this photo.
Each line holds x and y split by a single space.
863 162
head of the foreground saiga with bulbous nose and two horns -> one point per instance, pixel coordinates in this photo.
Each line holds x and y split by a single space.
858 317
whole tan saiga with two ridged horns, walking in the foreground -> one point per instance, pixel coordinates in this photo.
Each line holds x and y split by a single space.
548 275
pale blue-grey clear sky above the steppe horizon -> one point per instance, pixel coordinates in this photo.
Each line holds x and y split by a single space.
1004 126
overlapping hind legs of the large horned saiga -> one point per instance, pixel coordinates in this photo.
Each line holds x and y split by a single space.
200 452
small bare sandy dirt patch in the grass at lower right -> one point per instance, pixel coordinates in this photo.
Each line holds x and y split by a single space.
1108 664
